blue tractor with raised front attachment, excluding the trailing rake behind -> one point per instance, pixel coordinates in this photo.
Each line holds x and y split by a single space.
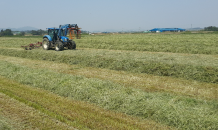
57 37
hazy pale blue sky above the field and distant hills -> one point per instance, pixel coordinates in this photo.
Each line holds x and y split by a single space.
101 15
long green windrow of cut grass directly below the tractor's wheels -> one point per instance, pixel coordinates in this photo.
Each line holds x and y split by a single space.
194 68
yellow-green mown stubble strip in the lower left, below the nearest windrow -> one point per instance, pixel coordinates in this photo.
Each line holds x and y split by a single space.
44 110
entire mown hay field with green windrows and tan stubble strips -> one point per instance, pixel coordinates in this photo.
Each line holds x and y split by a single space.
124 81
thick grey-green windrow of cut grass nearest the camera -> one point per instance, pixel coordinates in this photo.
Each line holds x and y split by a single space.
178 111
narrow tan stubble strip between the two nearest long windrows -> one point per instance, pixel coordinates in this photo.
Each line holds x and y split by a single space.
145 82
